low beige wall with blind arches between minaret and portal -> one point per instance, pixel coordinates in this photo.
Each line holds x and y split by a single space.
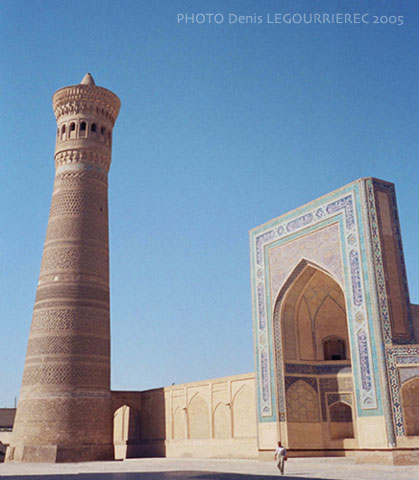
216 416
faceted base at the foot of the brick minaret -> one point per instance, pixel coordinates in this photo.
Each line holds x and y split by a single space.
57 454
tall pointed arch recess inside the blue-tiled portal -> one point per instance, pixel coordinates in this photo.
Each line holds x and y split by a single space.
313 366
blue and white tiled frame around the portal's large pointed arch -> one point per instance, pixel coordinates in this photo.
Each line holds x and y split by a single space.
342 207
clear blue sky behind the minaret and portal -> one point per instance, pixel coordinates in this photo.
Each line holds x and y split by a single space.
223 126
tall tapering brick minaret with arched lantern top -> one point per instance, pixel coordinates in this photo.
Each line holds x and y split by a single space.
64 411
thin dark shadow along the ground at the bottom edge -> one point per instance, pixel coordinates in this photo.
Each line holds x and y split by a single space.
179 475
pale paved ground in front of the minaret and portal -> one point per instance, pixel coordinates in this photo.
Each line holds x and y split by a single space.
205 469
